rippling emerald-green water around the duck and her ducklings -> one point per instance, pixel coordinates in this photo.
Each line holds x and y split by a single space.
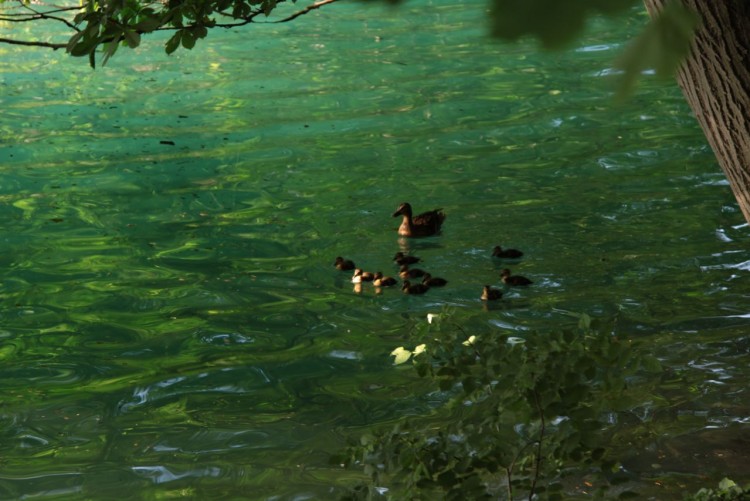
172 324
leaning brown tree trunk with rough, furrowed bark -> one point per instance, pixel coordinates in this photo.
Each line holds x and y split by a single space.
716 82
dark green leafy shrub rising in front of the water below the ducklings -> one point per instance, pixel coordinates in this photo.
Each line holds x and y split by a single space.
520 411
